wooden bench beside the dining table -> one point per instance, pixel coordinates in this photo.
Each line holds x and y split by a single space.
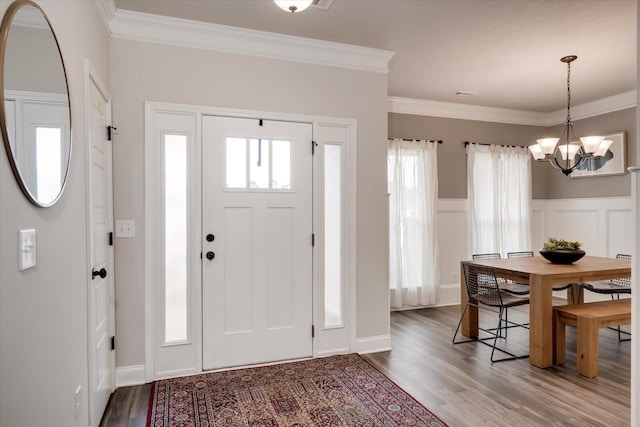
588 318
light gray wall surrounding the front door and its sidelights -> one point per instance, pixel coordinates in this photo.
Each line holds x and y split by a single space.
153 72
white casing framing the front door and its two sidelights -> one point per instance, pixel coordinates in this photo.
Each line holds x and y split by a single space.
328 340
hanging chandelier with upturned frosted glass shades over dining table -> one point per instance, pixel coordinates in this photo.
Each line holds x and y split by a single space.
573 152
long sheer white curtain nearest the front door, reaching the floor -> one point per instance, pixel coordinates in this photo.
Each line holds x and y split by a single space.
413 187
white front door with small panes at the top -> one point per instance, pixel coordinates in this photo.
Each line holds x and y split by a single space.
257 241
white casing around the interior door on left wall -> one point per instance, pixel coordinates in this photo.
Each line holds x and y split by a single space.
92 77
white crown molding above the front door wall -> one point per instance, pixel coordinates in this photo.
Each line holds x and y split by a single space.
222 38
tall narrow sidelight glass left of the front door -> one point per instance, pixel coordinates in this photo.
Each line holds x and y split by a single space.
175 211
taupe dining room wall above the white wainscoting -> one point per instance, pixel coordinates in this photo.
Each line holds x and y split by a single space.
548 183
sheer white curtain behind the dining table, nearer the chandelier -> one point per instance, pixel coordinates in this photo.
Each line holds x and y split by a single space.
499 193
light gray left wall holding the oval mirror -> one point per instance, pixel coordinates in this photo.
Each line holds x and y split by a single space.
43 311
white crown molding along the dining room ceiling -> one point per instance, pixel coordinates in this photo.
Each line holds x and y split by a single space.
502 115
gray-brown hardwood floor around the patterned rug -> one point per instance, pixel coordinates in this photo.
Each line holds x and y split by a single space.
461 386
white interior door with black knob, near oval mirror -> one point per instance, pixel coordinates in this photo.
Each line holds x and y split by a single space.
101 294
